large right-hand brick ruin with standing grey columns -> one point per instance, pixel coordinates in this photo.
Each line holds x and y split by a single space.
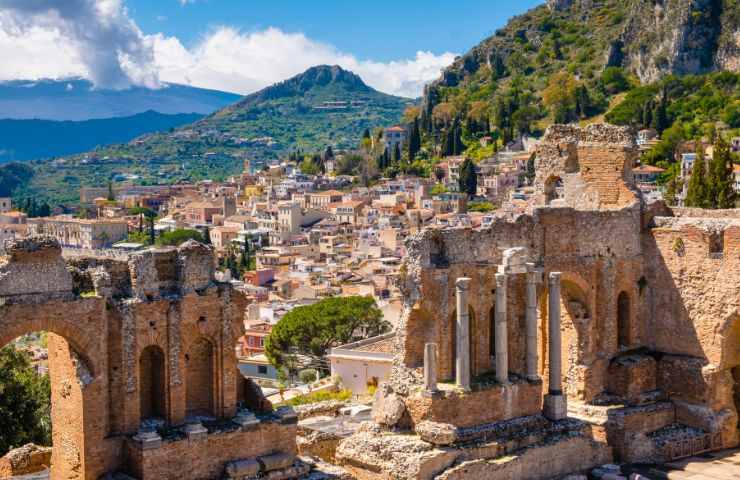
596 328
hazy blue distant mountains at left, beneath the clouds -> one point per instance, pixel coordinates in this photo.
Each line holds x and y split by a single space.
49 118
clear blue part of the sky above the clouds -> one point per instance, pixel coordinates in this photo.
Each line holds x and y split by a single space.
381 30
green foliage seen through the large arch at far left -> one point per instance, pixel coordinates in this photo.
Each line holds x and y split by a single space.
25 402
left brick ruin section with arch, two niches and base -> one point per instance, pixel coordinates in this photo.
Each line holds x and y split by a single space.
142 363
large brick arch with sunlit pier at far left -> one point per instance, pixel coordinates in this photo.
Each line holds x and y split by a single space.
77 370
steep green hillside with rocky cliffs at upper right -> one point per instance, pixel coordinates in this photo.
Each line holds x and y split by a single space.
667 65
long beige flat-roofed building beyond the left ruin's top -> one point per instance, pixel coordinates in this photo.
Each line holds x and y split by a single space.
80 233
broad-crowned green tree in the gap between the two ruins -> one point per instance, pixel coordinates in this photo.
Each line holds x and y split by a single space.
304 335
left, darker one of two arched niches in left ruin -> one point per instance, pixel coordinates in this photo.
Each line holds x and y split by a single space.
152 384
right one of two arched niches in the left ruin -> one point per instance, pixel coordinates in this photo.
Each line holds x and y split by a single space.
199 379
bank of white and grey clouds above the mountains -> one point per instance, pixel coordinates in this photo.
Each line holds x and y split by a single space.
108 48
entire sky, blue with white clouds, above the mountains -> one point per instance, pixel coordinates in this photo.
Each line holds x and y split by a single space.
243 45
